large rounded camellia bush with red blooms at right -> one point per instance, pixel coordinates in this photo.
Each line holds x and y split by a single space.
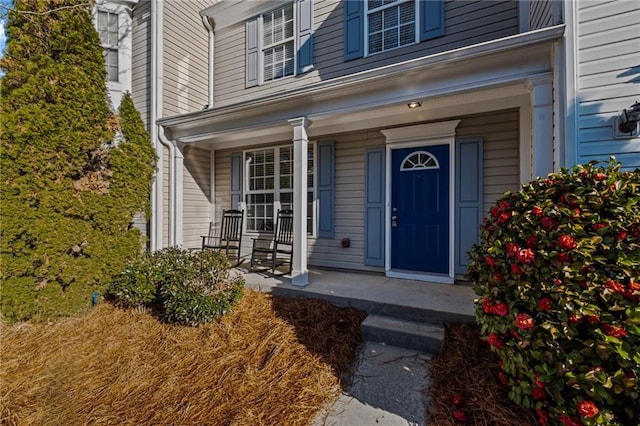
558 275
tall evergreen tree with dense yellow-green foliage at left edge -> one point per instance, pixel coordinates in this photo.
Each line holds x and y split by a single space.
67 193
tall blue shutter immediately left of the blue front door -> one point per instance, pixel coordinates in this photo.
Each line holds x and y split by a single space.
374 207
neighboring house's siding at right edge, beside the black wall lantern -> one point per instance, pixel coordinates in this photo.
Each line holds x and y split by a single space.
608 73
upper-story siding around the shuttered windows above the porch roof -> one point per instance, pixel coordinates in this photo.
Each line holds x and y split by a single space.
467 23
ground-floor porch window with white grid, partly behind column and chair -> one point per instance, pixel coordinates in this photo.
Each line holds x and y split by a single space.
270 186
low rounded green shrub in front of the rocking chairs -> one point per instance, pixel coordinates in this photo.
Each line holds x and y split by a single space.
189 288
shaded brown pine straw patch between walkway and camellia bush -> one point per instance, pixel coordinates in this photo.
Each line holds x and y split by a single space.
466 367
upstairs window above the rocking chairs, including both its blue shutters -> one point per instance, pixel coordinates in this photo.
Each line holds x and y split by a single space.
279 43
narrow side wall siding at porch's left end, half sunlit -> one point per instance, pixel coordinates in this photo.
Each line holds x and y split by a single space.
196 193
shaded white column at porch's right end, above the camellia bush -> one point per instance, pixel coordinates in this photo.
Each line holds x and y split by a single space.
541 89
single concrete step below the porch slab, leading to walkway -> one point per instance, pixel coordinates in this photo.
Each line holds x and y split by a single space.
413 335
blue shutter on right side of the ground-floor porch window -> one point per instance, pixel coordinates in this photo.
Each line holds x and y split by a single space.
326 210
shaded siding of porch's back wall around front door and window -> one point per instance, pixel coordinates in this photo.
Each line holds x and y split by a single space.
499 130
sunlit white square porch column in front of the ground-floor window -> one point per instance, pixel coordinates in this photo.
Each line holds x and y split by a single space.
299 272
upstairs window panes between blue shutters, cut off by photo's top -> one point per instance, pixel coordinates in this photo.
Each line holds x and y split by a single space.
390 24
